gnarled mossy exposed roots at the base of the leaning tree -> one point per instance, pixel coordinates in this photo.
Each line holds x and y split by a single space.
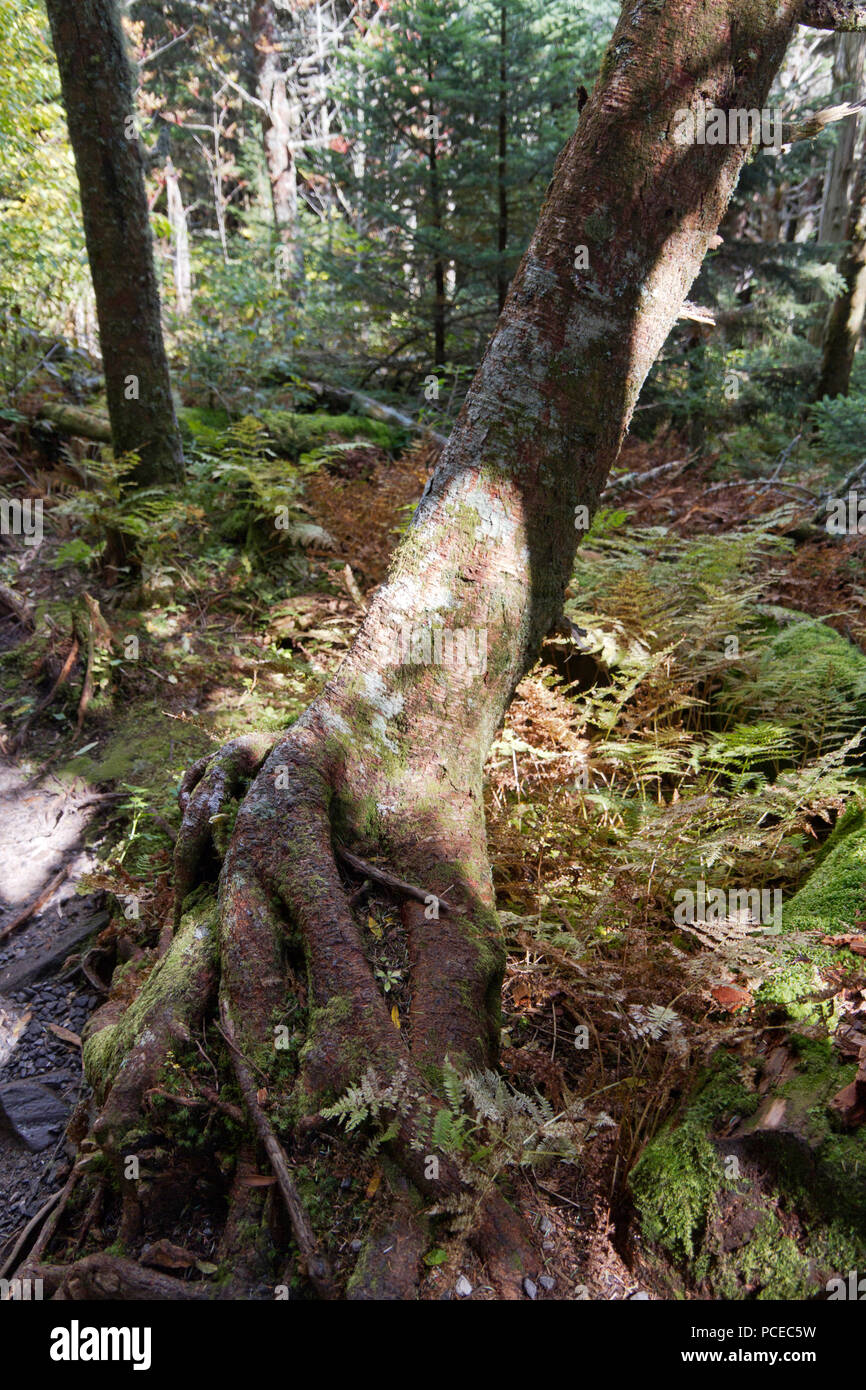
281 892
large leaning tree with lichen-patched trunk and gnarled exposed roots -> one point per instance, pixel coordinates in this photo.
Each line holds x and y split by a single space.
389 761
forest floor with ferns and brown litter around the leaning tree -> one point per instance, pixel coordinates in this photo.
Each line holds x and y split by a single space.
226 644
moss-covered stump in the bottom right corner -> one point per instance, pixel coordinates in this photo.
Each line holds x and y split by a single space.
751 1192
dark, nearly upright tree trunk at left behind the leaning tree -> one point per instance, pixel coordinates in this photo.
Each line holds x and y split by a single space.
99 102
